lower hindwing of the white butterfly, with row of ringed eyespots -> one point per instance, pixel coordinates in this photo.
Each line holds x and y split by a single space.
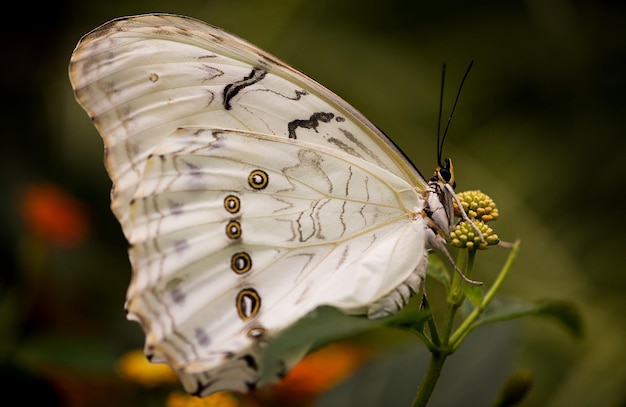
321 227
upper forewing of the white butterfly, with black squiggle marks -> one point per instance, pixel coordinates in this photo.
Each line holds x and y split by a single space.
140 78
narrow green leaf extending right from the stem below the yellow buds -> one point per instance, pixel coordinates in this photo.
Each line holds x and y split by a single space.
502 309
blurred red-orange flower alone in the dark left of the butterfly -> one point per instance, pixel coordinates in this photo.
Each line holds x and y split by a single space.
54 215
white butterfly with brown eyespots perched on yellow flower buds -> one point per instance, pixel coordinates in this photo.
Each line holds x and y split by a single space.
249 195
